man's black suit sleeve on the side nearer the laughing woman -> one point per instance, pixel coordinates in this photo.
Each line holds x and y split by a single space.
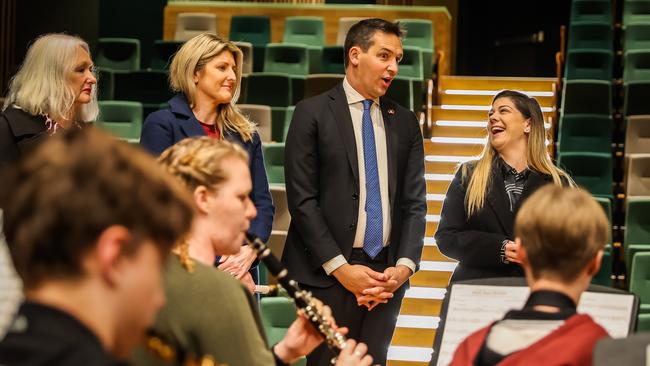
413 198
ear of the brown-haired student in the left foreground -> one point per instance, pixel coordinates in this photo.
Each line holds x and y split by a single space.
108 252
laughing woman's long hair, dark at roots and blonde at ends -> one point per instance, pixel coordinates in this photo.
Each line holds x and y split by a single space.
536 154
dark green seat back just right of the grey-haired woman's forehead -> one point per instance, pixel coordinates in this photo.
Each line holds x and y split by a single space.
118 54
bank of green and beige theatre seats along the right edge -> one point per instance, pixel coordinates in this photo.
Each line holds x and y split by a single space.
604 127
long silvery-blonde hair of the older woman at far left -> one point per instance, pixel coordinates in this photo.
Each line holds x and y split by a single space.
41 85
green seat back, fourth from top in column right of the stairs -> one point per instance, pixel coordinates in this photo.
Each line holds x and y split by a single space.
587 96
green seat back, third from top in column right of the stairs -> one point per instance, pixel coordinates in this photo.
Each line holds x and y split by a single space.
589 64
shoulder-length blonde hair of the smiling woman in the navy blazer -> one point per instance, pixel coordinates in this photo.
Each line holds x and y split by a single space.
190 59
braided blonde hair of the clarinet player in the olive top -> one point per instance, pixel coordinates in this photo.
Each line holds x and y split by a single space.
199 161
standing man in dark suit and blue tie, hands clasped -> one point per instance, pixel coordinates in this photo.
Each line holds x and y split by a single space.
354 171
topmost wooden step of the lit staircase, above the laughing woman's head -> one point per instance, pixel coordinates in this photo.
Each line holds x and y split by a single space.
496 83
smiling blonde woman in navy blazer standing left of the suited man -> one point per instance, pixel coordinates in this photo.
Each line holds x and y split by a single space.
206 73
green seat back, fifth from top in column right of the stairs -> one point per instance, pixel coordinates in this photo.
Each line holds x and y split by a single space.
585 132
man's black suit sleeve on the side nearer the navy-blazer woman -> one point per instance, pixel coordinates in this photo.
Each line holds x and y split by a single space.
302 182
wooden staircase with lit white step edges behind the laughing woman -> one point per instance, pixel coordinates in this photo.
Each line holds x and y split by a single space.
458 134
